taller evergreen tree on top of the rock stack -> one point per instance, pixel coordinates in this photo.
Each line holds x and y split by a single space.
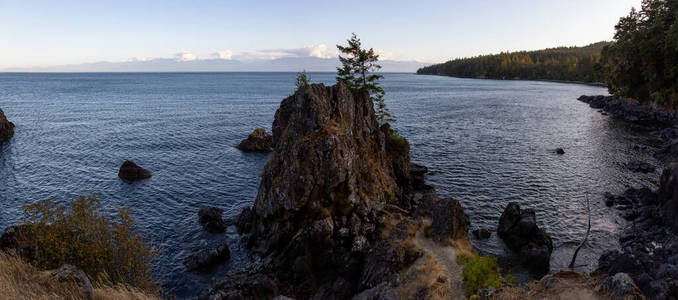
354 72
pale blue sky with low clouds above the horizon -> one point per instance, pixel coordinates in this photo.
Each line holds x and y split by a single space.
36 33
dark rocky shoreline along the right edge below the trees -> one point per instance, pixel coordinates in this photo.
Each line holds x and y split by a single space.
649 243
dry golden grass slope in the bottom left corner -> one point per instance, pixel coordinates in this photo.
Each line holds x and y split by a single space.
20 280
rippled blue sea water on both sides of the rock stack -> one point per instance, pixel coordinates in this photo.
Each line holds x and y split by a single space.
486 143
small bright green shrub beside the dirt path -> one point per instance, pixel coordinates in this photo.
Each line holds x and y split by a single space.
480 272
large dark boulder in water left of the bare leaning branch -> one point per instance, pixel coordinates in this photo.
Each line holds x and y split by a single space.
518 228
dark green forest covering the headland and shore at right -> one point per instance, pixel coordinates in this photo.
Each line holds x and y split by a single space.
640 63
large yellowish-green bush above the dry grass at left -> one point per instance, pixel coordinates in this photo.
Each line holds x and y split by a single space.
107 250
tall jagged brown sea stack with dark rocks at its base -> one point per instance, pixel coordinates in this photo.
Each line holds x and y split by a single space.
333 182
